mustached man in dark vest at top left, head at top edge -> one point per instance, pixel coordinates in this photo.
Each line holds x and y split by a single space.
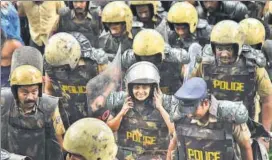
78 18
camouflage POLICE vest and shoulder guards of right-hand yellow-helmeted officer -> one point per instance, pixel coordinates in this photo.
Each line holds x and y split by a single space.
234 83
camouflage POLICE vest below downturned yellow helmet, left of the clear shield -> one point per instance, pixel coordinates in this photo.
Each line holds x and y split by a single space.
71 86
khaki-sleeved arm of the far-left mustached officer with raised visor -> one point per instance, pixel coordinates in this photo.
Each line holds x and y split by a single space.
58 126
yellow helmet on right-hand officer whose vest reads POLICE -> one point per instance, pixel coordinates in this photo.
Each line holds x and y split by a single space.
228 32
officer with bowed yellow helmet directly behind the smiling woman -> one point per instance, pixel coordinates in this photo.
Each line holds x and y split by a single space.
149 45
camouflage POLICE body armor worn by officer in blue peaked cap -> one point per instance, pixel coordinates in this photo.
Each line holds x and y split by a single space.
214 141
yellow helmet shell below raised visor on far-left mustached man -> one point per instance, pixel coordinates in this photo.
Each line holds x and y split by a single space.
25 75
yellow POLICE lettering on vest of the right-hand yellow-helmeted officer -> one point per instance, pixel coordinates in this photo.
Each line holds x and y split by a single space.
229 86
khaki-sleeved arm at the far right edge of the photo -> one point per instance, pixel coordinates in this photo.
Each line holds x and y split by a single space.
265 91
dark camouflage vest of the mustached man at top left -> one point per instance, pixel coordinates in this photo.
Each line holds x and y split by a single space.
90 28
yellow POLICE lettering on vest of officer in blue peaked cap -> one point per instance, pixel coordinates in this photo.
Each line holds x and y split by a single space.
200 155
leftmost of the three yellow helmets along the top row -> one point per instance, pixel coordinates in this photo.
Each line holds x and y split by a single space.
118 11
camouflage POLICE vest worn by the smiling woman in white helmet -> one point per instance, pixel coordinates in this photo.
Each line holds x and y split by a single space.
143 132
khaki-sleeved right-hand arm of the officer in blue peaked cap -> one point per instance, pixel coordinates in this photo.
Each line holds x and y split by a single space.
242 136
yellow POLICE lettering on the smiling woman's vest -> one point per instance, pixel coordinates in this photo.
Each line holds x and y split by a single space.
136 136
